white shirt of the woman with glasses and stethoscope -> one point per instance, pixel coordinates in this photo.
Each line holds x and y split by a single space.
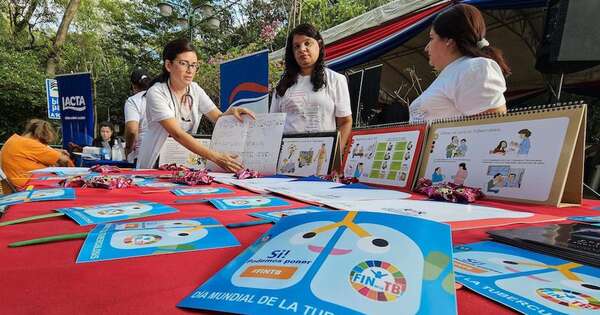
160 106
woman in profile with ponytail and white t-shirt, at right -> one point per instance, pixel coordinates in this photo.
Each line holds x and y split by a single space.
471 72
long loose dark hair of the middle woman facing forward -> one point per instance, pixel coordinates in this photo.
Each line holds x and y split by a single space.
292 69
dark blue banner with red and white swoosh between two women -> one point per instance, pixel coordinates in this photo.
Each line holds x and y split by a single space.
245 82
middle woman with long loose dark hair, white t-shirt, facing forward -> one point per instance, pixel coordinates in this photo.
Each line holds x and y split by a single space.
315 98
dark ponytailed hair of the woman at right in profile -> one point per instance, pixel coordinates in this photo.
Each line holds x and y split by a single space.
465 25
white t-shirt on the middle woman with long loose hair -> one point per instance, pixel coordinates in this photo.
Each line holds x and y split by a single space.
310 111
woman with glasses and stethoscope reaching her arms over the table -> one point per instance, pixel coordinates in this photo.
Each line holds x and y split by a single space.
174 106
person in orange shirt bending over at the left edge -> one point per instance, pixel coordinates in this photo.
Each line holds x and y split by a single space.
22 154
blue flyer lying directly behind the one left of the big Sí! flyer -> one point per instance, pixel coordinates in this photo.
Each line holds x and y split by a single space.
115 212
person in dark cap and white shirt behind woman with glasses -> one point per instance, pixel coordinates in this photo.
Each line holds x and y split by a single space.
135 113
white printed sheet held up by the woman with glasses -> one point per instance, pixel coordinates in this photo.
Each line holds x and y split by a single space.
256 142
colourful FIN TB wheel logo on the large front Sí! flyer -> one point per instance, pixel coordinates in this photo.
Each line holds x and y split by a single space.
378 280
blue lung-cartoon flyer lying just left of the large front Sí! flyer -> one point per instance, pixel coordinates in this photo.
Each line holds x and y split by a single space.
135 239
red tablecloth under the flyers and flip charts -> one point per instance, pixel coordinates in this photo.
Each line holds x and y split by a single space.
44 279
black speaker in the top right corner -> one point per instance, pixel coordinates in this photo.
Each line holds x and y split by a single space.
571 40
